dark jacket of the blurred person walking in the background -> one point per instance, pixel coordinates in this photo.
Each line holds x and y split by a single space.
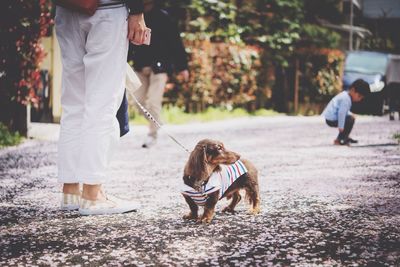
165 53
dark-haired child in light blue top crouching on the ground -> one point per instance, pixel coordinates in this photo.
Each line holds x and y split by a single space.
337 112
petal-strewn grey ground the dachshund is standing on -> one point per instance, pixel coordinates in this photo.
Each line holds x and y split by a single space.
321 204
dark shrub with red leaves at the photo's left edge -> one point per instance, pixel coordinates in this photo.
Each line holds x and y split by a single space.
23 23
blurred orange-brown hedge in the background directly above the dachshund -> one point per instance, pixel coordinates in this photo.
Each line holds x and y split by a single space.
221 74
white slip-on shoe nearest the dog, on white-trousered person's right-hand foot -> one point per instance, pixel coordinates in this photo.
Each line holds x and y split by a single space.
109 205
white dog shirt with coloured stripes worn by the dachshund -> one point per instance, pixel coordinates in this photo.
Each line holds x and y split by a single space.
219 180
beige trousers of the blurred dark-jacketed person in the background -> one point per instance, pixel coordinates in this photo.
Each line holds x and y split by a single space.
150 94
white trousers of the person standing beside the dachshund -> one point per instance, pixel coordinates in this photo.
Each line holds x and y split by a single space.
94 53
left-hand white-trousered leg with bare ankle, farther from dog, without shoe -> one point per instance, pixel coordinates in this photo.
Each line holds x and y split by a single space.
72 91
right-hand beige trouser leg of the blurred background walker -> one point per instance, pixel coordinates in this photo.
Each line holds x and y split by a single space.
154 99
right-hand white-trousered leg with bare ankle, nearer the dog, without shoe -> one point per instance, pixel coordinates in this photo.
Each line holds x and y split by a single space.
105 68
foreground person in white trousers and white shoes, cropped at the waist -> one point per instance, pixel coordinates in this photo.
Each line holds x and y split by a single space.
94 51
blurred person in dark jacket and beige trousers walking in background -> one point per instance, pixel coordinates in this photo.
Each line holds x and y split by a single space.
153 63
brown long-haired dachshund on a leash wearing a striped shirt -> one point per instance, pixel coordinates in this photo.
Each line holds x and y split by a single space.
212 173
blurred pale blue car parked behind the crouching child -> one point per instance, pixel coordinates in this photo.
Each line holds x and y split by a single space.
371 67
